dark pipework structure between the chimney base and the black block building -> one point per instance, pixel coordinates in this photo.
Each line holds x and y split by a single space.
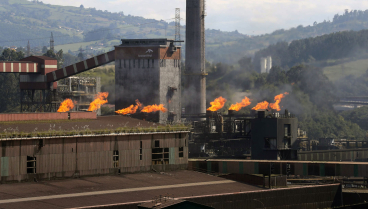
214 134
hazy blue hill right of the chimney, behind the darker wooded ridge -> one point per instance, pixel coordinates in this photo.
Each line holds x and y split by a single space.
350 20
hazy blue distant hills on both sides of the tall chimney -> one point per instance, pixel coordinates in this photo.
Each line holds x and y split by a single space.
93 29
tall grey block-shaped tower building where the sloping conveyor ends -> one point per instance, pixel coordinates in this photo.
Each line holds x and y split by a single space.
148 73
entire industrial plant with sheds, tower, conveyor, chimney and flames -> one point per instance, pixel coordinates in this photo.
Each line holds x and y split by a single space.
164 147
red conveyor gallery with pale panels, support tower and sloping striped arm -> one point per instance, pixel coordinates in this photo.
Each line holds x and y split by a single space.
38 76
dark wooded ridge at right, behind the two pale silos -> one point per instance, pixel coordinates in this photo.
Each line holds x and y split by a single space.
321 50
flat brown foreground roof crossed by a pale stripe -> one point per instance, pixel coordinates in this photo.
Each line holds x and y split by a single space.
119 189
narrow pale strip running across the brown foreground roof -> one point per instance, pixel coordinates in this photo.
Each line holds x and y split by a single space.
113 191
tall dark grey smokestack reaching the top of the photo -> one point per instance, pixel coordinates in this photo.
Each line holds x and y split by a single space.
195 57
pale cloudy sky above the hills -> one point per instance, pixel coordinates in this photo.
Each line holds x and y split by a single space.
247 16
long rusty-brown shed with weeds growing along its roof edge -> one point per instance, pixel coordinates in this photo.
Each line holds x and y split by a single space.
74 155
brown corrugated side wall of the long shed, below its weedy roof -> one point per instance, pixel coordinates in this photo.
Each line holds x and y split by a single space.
81 156
